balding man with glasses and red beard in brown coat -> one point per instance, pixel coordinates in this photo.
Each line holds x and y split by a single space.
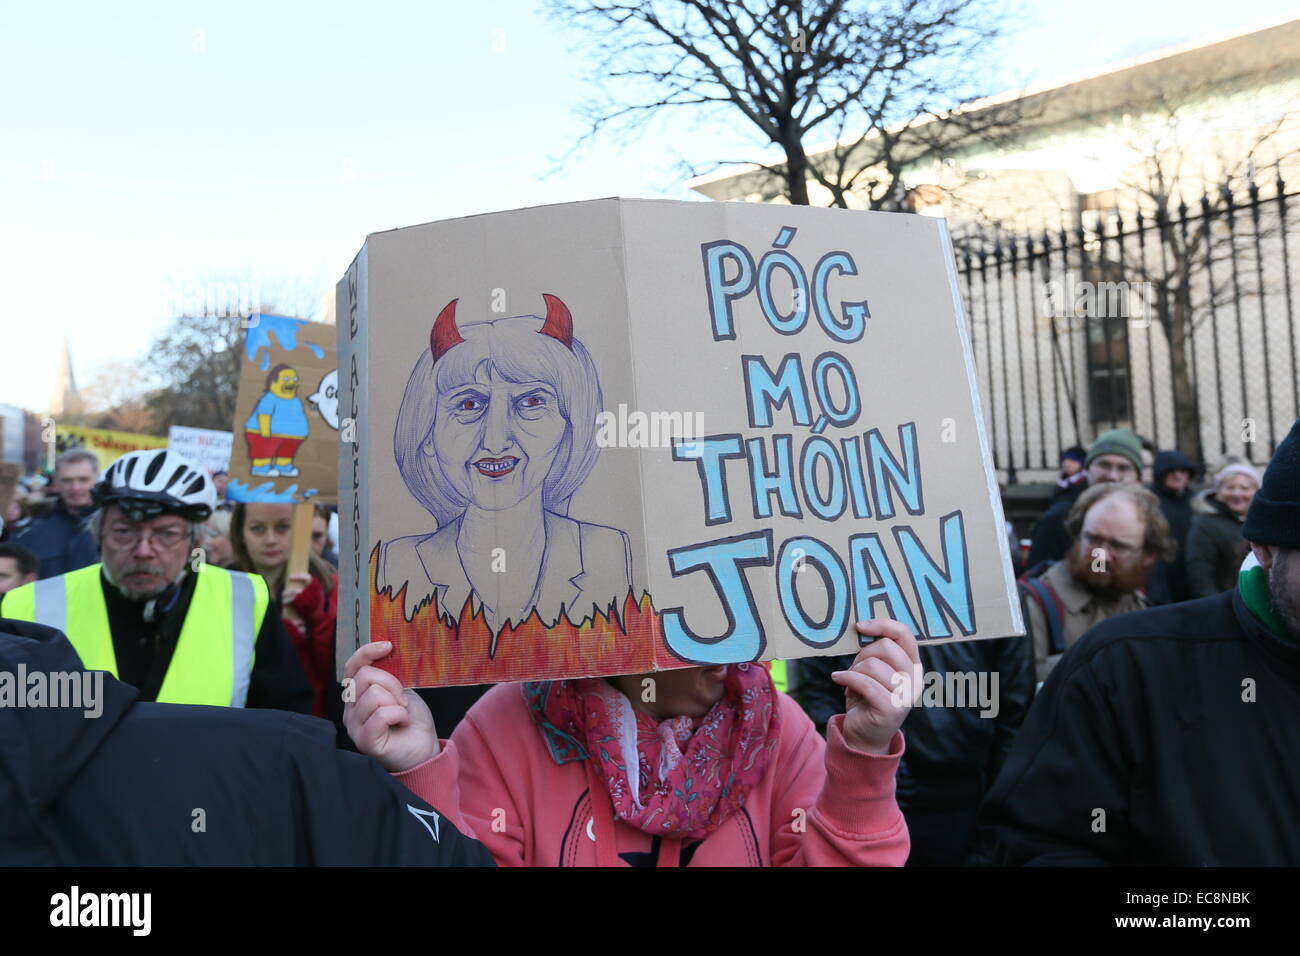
1119 533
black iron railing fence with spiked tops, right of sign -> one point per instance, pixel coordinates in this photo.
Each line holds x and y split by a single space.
1177 321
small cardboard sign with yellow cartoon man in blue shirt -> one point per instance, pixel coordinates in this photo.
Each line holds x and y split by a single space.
287 419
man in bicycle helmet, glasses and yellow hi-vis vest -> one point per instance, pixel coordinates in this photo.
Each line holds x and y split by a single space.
154 613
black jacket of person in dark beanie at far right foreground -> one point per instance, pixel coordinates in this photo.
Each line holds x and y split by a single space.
1168 737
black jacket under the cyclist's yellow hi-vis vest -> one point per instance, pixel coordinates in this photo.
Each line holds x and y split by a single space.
145 651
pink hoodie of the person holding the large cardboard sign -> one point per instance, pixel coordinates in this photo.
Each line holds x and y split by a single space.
820 804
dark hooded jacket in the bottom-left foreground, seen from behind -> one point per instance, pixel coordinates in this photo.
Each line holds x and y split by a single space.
171 785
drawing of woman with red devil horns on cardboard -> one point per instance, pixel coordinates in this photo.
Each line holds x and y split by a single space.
496 432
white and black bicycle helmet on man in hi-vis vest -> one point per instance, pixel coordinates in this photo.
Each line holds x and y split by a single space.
154 482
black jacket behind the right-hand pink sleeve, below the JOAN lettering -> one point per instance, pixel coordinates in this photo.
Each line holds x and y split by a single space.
954 755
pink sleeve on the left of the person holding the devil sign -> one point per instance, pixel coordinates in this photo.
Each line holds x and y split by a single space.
476 788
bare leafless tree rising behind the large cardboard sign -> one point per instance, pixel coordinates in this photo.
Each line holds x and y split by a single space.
885 70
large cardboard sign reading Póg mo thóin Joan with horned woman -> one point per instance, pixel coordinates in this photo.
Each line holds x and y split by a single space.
622 436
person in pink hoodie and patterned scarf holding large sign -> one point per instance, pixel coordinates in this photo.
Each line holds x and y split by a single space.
697 767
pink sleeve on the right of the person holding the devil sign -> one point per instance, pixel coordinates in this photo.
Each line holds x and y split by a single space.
838 804
